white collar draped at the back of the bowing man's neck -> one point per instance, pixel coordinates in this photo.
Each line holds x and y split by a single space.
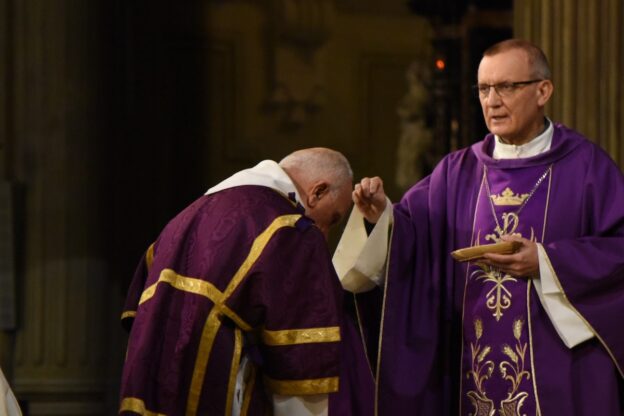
266 173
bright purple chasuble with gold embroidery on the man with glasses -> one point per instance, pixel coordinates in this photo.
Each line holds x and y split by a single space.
463 339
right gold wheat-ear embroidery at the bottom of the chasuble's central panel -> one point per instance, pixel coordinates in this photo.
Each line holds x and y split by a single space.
514 372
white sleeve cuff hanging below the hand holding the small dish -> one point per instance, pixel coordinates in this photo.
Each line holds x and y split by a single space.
571 328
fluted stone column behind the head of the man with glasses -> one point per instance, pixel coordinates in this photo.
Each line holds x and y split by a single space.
583 40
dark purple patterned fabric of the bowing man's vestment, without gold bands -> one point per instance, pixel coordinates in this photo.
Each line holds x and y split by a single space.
291 285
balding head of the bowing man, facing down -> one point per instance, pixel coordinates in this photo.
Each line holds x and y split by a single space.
324 180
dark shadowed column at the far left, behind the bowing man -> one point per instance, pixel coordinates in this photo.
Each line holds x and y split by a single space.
63 348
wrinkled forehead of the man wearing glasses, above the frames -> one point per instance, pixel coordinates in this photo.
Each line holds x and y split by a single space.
508 66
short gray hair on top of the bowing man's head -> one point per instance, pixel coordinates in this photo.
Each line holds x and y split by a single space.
320 163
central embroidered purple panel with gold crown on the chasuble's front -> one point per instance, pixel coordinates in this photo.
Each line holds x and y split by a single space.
497 360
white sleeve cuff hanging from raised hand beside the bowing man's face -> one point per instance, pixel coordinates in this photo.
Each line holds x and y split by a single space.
360 259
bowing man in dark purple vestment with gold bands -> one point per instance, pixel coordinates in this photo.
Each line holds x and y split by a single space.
236 308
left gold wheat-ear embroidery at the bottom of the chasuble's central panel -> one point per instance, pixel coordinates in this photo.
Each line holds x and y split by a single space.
480 372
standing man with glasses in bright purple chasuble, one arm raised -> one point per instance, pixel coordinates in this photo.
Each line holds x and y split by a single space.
533 332
